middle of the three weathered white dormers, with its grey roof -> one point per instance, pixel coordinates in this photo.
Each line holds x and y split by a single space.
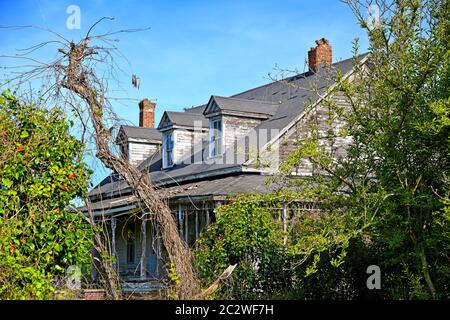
183 134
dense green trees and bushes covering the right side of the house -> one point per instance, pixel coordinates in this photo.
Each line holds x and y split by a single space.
386 202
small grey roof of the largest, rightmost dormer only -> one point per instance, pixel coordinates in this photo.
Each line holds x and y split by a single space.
259 108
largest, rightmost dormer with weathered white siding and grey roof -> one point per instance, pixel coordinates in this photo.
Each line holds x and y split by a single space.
231 119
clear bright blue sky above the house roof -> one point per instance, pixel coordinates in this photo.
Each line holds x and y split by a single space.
194 48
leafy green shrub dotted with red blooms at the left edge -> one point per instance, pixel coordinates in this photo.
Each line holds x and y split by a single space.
41 172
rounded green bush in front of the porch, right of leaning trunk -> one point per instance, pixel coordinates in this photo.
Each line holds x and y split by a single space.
246 234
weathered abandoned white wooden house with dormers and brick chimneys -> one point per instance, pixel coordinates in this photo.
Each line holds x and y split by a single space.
199 158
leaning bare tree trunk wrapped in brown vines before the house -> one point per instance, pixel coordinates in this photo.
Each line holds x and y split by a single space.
82 81
